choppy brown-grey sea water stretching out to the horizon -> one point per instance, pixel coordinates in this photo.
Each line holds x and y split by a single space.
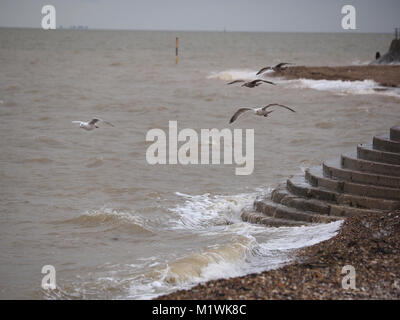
114 226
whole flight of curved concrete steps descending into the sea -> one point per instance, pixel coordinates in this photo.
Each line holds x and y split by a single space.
366 181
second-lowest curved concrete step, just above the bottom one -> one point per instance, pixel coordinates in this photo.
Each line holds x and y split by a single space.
276 210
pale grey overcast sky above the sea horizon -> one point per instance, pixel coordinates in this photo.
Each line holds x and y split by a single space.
233 15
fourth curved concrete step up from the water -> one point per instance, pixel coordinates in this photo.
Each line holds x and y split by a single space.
300 187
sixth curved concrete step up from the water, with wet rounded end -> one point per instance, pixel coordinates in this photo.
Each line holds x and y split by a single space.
333 169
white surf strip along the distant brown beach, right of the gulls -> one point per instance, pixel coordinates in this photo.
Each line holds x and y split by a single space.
345 87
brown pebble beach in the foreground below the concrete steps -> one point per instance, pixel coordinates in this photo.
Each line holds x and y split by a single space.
370 243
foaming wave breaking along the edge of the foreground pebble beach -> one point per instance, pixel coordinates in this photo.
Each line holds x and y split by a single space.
266 249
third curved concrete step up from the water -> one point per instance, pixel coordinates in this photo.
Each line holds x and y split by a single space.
283 196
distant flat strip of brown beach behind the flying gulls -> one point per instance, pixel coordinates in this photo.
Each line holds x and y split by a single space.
385 75
